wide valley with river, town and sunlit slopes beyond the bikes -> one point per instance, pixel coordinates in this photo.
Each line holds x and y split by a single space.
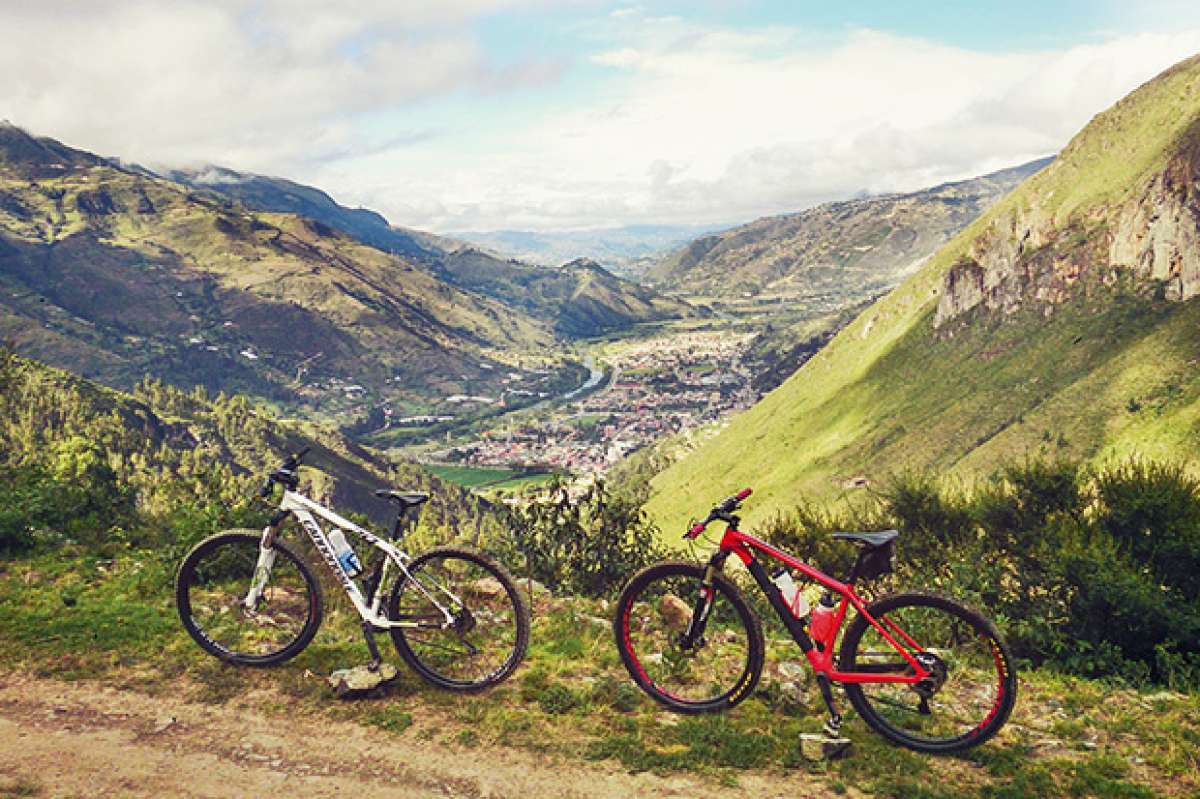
499 374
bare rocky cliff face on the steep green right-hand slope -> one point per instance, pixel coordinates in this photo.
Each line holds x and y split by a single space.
1030 257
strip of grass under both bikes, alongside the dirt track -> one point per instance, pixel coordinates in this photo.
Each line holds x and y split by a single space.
574 701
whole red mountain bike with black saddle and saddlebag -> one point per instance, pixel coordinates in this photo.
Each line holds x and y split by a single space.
922 670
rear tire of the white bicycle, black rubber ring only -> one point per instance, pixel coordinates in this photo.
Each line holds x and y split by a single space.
400 636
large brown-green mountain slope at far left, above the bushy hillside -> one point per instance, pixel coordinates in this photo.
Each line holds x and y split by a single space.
116 274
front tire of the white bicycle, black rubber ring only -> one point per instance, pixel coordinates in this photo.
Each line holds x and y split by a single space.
187 578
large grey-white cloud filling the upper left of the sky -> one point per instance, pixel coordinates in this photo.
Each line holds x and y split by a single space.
261 85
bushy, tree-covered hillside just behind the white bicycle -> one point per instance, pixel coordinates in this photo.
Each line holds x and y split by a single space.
170 448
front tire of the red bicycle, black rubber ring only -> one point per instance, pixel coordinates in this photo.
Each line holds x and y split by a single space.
746 682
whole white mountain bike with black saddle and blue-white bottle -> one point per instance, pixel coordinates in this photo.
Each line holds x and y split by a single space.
249 598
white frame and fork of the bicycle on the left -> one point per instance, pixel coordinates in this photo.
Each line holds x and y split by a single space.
307 513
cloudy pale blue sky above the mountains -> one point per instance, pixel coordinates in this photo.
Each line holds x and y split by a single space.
572 115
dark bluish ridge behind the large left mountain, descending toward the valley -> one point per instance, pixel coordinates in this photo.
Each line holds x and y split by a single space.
577 299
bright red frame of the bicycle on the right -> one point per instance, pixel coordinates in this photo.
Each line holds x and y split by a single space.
820 653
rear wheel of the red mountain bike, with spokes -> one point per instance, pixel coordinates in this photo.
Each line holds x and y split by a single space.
973 686
